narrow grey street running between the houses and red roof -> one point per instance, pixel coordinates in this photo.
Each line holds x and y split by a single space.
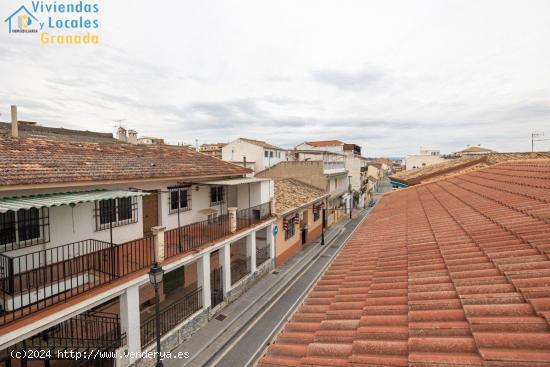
245 339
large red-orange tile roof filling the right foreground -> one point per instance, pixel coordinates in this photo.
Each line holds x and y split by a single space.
461 277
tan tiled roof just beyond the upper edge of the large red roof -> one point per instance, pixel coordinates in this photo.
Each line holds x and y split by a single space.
460 165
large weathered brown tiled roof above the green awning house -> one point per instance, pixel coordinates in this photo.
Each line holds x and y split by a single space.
36 161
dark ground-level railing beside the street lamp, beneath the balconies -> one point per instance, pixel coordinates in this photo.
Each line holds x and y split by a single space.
171 316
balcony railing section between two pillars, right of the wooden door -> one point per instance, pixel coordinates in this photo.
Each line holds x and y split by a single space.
188 237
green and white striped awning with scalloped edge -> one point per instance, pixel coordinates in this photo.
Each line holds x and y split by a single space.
66 198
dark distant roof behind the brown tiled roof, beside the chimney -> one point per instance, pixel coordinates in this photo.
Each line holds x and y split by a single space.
33 130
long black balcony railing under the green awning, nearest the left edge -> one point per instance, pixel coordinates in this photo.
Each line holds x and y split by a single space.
36 280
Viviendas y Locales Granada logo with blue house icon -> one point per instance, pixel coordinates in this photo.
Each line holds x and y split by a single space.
57 23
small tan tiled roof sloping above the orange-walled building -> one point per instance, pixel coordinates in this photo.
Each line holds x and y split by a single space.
291 193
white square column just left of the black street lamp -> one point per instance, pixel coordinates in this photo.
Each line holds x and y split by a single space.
130 322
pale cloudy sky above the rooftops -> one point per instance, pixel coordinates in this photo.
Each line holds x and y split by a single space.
390 76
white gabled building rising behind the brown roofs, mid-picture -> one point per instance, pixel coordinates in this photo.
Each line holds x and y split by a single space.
262 155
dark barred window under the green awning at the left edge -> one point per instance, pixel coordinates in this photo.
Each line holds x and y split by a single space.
26 227
